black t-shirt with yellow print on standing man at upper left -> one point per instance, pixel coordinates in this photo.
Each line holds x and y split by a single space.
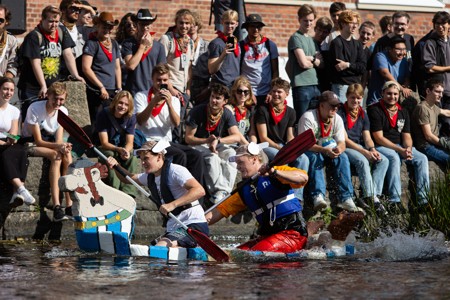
50 54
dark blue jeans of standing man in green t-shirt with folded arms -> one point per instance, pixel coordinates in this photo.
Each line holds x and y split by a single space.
304 97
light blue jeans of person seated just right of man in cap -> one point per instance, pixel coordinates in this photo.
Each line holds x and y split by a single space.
371 182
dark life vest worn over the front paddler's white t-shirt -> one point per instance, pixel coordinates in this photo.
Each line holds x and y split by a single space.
166 194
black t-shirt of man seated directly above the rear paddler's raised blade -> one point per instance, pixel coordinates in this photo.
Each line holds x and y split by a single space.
275 132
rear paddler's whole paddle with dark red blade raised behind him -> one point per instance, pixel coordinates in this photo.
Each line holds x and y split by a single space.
296 147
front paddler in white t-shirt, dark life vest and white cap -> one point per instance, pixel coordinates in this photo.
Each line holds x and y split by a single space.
173 189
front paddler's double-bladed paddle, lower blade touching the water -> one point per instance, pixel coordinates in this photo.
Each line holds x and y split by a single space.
202 240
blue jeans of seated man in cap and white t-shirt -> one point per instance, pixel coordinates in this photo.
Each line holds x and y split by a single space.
340 172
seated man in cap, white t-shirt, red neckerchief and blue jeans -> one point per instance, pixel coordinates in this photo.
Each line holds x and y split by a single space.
329 130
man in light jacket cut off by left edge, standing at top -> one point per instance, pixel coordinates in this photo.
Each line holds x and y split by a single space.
8 46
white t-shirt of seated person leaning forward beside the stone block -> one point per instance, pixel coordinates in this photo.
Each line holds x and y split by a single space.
37 114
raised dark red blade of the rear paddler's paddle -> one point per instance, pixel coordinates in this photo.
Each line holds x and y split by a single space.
296 147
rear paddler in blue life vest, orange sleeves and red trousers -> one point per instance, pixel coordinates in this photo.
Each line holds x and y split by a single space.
271 199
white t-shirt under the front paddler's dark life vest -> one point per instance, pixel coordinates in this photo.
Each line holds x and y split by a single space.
178 175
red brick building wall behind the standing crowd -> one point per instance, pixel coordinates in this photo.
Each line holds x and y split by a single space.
279 15
